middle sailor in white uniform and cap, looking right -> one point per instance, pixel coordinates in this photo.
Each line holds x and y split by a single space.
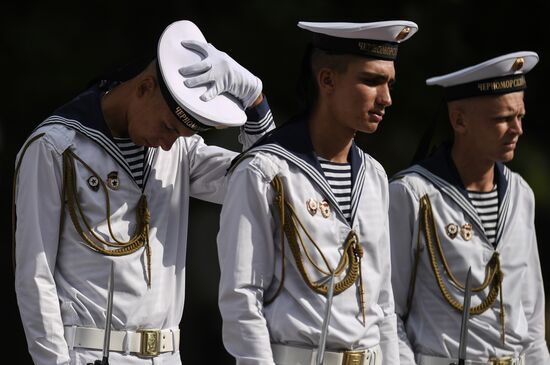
305 260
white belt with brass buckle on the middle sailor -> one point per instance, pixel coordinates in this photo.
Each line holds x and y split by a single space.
290 355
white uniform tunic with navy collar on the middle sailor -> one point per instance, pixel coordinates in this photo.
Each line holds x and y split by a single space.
249 246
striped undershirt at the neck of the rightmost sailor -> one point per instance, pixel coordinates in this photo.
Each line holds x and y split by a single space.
486 205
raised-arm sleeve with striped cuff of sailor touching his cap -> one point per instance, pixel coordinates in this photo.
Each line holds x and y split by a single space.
209 164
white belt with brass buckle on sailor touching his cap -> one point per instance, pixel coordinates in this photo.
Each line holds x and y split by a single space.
143 342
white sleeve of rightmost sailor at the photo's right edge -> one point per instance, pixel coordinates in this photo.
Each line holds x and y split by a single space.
533 303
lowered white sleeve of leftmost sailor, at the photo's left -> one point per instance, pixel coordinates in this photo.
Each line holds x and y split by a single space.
38 208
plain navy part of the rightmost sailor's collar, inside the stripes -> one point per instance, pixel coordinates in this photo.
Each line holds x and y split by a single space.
442 165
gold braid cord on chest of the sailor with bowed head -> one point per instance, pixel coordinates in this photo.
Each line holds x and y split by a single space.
93 240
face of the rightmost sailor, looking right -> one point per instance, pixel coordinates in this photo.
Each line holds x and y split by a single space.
493 125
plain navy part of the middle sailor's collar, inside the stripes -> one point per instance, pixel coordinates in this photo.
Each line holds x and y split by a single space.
294 137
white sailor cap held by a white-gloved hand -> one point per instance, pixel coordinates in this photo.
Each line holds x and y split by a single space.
222 111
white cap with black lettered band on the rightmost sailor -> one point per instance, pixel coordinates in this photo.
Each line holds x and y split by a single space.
500 75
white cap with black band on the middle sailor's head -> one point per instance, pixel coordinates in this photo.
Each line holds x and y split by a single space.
378 40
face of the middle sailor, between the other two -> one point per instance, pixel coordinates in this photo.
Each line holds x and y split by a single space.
362 93
